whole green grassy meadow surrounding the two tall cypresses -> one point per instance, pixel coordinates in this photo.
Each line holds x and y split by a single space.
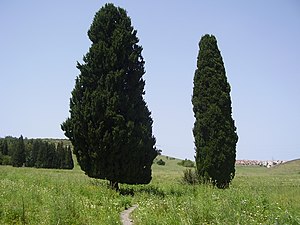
256 196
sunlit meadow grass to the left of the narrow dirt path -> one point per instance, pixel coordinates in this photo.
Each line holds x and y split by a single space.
40 196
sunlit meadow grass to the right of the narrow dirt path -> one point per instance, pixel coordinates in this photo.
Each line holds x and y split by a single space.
257 196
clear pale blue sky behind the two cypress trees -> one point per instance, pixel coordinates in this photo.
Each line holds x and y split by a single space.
41 41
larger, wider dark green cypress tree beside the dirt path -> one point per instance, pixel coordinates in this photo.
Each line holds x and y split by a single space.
110 125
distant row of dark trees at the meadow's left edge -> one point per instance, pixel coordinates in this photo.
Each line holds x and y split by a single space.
35 153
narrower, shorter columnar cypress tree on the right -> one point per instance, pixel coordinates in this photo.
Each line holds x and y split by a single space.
214 129
